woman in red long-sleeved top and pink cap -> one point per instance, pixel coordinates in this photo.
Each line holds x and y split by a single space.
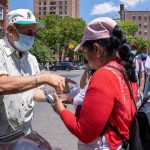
107 97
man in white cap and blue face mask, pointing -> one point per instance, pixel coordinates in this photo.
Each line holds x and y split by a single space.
19 74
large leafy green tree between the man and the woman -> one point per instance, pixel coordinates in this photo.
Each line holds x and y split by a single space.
57 35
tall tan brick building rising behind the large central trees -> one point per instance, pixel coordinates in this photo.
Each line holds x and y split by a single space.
60 7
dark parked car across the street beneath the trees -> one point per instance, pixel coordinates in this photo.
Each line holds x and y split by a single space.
61 65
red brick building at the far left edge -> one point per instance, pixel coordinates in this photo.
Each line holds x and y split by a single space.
4 8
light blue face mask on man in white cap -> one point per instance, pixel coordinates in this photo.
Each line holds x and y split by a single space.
24 43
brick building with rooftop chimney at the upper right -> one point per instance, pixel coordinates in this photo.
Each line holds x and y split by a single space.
142 18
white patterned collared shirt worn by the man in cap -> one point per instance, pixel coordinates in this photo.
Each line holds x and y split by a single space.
16 110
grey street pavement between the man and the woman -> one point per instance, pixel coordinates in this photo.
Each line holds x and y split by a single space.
48 124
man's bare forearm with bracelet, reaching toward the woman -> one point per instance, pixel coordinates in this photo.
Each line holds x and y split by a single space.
11 85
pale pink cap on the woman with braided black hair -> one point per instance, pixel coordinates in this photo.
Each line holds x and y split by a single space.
99 28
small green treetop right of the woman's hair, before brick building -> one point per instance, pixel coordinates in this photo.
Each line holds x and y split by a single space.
129 28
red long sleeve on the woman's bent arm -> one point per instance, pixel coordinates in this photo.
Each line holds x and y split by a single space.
96 108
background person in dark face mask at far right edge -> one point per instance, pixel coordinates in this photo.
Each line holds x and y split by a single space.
144 57
